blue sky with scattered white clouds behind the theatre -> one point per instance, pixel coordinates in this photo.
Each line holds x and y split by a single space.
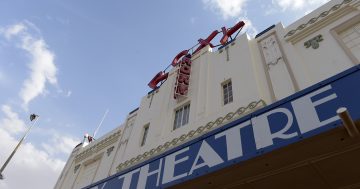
70 61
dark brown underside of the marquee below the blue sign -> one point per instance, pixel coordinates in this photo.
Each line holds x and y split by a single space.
327 160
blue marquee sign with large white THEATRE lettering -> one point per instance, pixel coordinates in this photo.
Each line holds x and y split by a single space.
302 115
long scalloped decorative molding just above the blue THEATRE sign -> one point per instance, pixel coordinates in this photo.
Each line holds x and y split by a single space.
191 134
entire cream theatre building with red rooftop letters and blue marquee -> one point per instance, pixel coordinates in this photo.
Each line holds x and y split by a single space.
279 110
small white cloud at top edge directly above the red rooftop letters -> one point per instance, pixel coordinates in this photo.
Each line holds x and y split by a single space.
226 8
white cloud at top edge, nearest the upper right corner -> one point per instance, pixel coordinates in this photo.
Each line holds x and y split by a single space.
298 4
